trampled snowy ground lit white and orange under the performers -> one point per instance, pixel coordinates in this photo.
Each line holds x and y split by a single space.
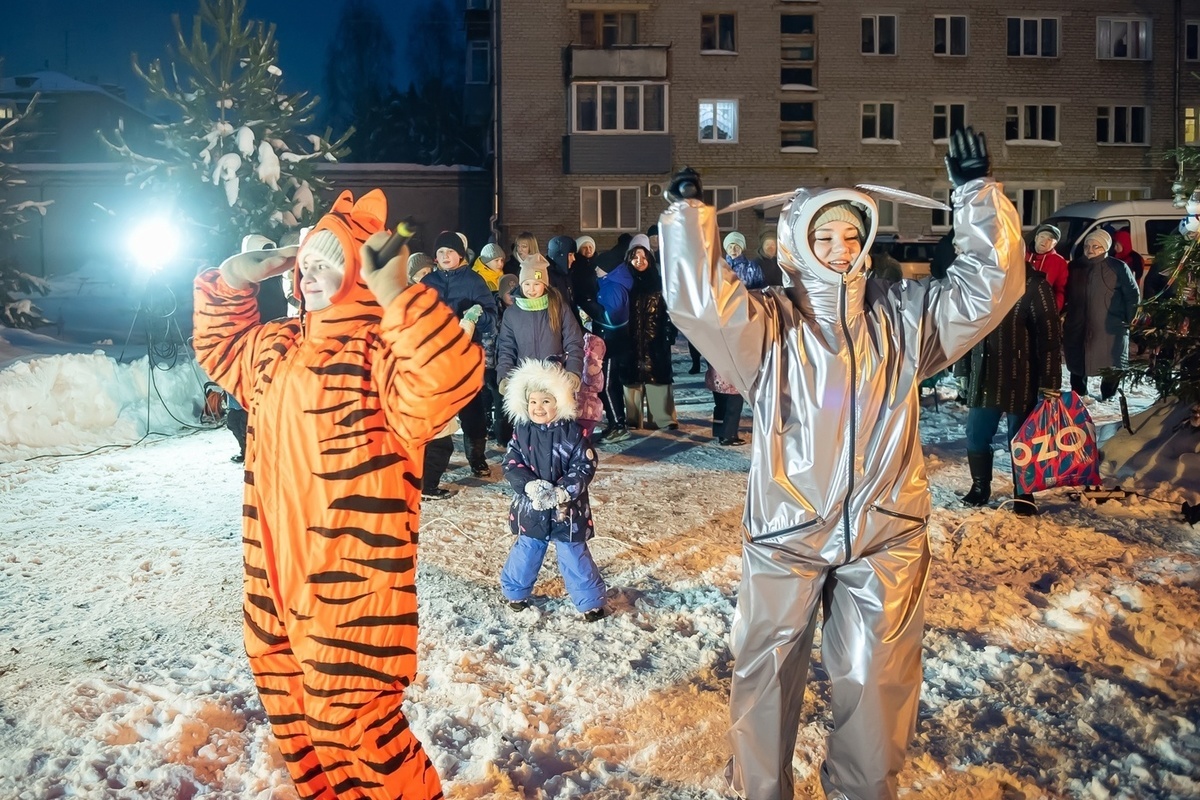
1061 655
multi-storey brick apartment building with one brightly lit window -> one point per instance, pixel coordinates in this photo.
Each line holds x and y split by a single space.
601 103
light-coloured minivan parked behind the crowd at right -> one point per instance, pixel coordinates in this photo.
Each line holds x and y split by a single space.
1148 222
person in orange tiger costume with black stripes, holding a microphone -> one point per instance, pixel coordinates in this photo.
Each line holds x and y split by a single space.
343 402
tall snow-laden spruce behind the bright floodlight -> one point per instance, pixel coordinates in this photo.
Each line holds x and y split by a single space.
238 160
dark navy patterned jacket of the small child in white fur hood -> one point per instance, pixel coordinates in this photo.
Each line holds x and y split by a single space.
561 454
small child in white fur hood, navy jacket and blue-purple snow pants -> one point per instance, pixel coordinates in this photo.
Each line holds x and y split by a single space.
550 465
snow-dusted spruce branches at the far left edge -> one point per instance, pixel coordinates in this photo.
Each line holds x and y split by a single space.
16 311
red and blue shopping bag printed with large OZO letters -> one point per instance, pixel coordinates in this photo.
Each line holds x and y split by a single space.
1057 447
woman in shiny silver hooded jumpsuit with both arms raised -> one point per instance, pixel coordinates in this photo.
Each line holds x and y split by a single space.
838 496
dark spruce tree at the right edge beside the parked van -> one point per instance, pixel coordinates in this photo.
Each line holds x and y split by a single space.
1169 327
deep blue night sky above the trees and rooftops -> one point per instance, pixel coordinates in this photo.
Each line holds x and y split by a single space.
92 40
